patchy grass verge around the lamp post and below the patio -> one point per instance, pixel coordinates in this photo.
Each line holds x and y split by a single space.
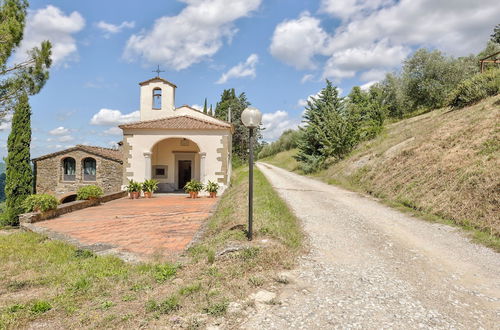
52 284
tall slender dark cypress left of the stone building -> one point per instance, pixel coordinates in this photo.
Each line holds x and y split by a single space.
19 175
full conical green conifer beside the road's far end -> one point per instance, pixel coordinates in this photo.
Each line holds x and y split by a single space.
331 130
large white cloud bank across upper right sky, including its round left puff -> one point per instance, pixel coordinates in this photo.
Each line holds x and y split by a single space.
374 36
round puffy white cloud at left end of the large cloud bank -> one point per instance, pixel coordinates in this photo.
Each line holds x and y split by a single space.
297 42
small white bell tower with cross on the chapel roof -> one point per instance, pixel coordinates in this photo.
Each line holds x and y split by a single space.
157 98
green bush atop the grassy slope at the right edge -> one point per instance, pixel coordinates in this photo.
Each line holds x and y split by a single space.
476 88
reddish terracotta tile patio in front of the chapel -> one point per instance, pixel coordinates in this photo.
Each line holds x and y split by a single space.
164 224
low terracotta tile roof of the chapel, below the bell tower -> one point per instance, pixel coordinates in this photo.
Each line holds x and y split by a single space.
179 123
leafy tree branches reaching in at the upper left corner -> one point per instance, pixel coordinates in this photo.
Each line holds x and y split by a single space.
28 76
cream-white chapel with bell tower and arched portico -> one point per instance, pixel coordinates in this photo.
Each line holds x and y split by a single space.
174 145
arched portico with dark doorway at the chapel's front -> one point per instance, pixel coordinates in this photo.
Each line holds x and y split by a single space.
173 162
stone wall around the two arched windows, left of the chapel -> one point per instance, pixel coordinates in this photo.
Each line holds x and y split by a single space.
49 174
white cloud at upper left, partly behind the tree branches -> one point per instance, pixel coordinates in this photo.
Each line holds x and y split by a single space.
50 23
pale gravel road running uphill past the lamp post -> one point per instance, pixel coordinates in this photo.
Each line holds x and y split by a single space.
372 267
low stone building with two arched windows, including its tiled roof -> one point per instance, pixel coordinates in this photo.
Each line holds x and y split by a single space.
62 173
